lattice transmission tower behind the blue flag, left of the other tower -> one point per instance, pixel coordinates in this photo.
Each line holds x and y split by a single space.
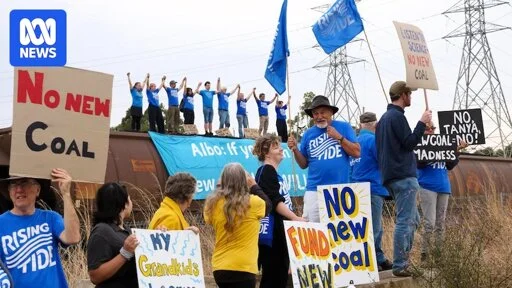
339 88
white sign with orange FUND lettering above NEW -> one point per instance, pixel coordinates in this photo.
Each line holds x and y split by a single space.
309 251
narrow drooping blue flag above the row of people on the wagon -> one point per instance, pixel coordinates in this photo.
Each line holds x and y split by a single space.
276 67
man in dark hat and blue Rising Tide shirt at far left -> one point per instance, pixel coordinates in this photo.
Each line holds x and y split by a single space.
30 236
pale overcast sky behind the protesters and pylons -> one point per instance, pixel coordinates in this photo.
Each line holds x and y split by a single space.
232 39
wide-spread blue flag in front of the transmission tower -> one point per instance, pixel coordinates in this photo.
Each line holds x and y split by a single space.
340 24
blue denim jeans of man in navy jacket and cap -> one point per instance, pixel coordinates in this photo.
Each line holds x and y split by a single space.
404 193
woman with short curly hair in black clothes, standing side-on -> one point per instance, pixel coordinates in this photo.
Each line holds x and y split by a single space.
273 253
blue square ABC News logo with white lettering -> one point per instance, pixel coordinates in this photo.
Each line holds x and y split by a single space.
38 38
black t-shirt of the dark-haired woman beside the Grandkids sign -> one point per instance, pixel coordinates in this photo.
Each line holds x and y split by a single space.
104 244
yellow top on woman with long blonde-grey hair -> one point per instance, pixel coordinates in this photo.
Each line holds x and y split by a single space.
237 251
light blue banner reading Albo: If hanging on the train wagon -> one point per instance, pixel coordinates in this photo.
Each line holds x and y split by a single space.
205 157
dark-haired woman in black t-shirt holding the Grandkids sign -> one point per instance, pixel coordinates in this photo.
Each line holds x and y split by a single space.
111 246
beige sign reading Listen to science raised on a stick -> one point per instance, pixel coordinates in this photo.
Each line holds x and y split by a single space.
418 64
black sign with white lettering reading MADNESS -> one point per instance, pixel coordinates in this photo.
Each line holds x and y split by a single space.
436 147
